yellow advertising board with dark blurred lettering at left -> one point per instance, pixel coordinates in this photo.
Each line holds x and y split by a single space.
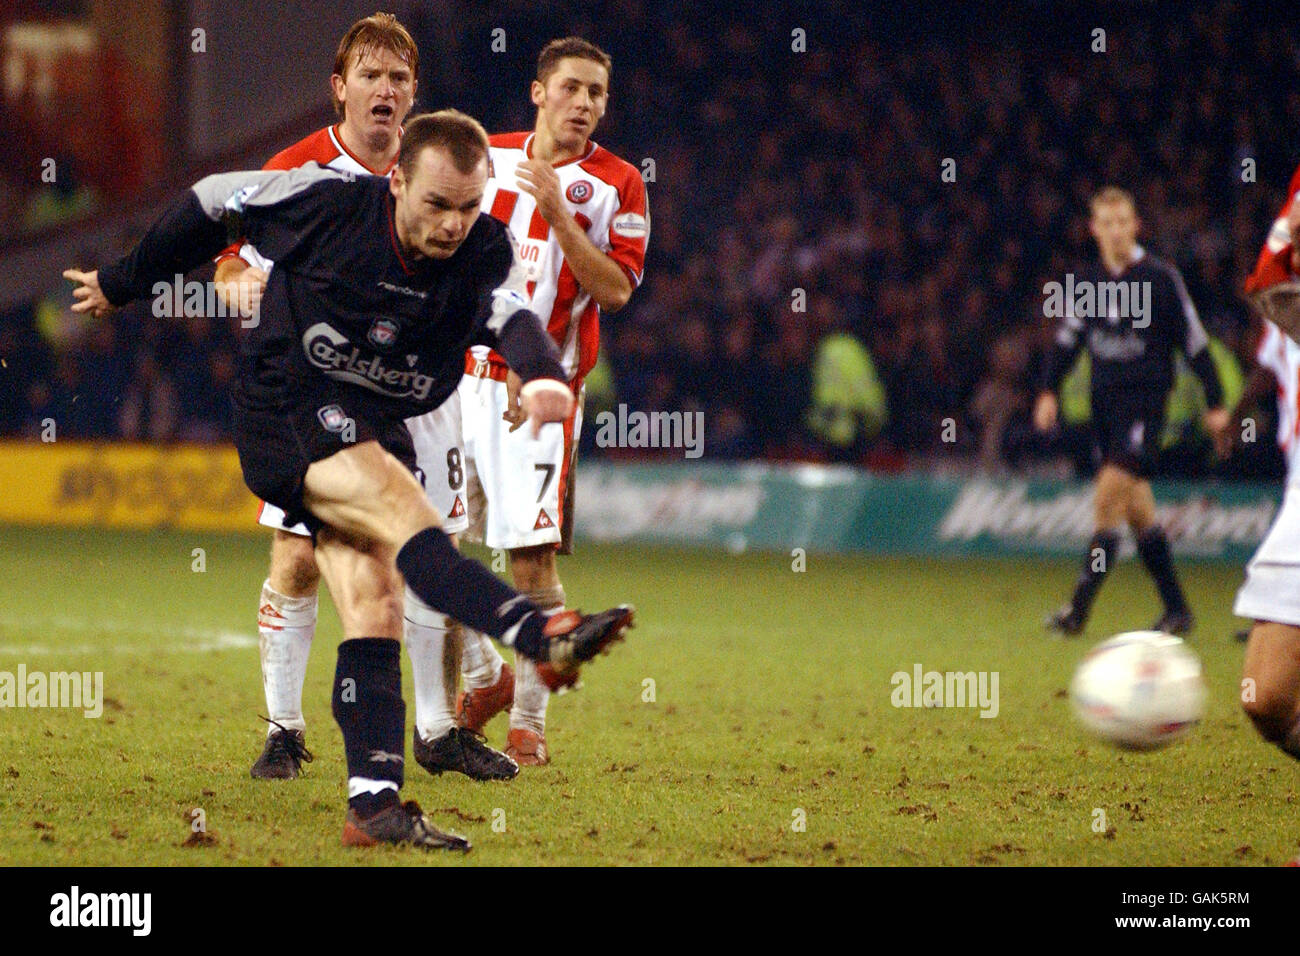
124 486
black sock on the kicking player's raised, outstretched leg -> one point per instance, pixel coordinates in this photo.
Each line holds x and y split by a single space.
454 585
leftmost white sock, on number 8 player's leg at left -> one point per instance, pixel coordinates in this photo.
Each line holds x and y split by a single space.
285 631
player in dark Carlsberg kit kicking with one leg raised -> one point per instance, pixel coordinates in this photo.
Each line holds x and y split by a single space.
379 289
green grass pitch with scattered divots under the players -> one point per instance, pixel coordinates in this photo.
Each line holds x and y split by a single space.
770 707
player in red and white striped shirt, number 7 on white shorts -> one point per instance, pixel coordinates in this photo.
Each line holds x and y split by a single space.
580 217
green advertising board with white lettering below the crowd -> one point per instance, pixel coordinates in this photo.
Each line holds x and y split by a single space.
840 509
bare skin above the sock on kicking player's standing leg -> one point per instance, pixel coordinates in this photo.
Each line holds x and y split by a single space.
363 582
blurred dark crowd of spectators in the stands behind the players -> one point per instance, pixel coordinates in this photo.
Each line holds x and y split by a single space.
853 218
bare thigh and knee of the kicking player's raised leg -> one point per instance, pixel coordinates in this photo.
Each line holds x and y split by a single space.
367 492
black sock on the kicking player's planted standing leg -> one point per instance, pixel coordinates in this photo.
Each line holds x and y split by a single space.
370 711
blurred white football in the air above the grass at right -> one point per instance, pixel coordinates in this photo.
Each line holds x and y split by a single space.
1139 691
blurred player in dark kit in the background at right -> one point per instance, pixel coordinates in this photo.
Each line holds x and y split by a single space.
1132 312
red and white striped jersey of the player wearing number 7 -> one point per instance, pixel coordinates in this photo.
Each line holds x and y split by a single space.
608 197
